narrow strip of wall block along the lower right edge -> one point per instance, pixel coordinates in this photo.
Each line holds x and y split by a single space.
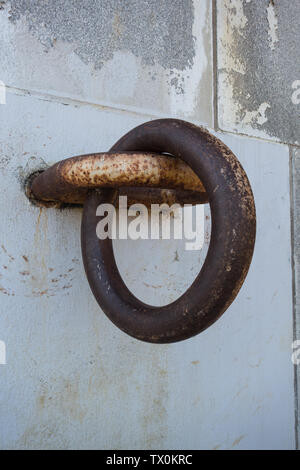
296 258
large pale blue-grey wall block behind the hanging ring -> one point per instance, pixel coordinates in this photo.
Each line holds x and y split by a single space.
74 380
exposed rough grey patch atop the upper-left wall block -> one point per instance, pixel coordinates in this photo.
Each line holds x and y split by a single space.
155 31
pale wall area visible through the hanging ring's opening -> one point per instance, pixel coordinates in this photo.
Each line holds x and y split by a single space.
164 276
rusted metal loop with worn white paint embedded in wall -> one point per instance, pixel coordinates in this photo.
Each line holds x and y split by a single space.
143 176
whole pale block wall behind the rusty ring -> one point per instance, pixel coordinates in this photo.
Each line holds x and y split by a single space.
78 76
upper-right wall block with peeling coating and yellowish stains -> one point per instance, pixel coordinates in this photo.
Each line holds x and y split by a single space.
259 68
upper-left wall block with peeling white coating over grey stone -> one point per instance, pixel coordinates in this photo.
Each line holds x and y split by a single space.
140 54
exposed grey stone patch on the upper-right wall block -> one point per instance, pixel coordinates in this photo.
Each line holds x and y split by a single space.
270 57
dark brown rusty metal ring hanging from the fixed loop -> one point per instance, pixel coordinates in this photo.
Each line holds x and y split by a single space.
230 250
